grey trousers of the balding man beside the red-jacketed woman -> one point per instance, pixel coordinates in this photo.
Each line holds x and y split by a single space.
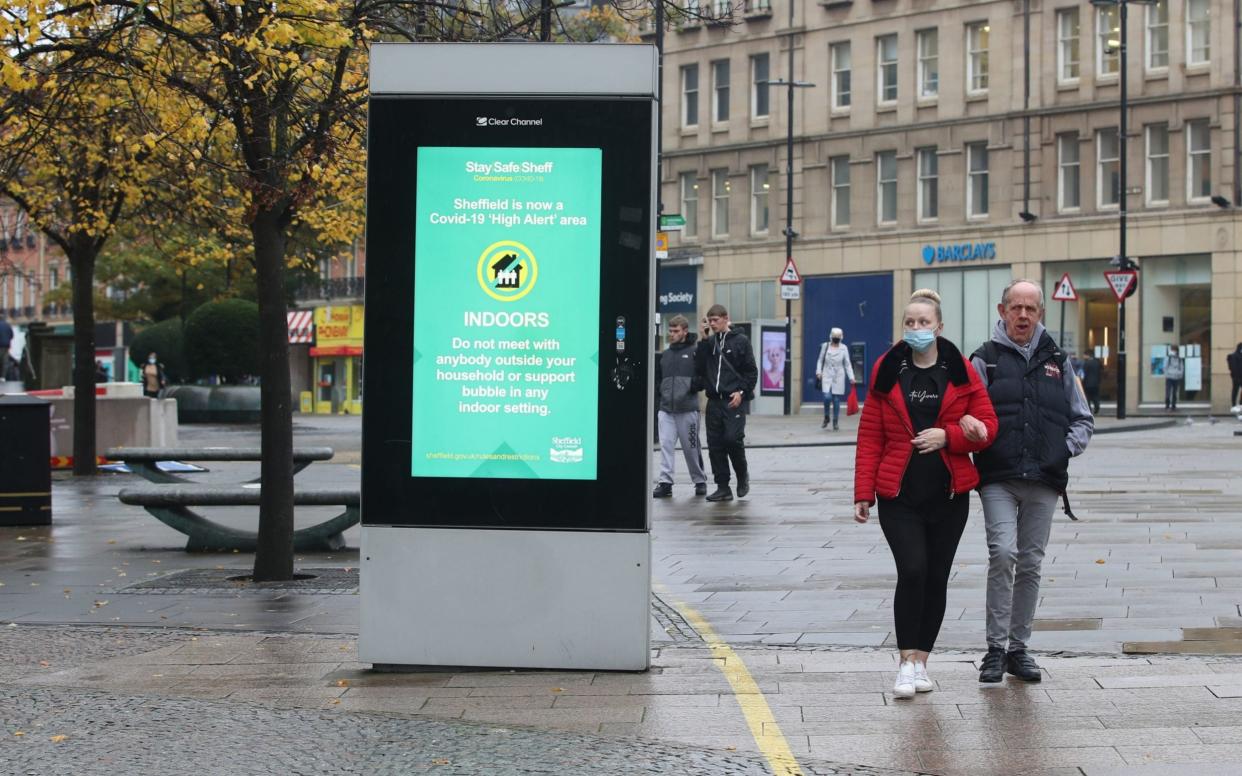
1018 516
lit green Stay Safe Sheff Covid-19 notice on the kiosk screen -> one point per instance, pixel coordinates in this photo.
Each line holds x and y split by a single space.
506 307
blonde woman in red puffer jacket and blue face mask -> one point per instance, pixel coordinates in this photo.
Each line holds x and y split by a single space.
913 461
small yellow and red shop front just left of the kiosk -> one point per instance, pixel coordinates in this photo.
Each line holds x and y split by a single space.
337 361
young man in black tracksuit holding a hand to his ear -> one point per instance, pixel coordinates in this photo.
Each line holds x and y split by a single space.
725 367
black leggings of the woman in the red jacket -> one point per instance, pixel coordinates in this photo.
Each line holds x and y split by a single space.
923 542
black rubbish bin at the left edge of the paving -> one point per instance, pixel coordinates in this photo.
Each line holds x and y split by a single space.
25 461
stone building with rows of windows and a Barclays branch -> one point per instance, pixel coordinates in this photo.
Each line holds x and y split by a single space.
959 146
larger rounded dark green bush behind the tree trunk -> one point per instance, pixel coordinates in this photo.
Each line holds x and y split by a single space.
222 338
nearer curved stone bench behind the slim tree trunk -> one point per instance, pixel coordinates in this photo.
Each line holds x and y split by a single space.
173 506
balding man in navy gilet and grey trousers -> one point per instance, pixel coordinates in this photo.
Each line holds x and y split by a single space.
1044 422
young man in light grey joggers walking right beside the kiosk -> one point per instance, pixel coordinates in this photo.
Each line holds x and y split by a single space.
679 409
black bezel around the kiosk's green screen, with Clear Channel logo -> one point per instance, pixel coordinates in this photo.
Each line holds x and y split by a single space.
618 499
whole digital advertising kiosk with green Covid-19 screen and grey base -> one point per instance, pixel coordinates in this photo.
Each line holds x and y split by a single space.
510 306
